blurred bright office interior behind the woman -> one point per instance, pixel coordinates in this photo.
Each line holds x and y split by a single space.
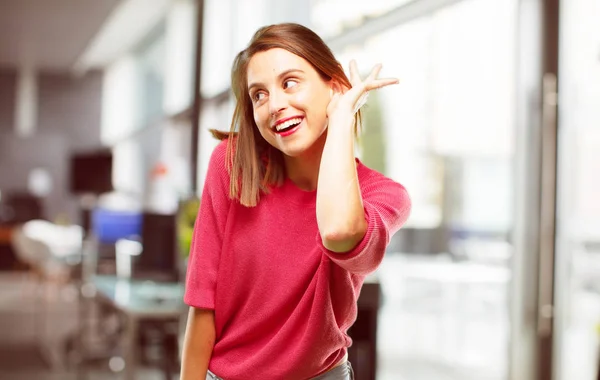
105 108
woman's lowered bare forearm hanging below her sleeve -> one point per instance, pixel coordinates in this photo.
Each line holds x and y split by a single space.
198 344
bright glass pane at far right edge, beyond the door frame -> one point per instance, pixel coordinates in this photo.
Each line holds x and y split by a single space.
577 284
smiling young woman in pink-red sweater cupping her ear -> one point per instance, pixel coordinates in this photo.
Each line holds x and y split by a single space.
290 222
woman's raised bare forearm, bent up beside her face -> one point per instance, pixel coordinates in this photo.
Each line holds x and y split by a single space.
340 213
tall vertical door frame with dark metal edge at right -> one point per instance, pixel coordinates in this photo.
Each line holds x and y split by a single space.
532 292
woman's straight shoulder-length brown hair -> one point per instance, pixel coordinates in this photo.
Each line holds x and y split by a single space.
255 165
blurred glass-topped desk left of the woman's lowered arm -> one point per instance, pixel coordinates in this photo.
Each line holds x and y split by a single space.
139 300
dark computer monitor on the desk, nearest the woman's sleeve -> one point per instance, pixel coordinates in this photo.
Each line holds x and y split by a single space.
159 259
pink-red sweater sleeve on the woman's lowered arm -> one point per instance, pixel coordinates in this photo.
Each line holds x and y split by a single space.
209 228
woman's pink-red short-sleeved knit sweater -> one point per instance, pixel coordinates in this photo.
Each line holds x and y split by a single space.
282 301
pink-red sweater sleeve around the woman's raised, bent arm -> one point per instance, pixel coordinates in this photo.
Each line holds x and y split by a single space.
387 207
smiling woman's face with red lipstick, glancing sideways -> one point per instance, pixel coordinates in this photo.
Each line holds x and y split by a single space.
289 99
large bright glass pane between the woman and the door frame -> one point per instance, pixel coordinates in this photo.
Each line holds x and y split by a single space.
446 133
